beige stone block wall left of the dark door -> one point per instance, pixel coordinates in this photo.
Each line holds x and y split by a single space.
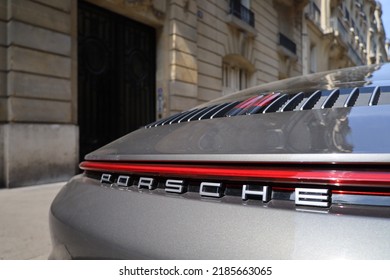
38 133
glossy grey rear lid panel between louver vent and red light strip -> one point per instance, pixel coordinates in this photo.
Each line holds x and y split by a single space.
358 134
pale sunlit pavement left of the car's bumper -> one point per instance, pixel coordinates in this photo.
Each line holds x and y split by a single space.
24 227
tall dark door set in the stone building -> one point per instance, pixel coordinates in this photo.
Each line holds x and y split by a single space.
116 76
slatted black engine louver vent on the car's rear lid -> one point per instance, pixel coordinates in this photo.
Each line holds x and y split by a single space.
284 102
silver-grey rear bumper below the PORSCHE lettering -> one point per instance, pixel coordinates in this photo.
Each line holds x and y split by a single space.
91 221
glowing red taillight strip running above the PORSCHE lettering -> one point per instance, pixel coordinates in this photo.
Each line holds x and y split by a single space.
283 174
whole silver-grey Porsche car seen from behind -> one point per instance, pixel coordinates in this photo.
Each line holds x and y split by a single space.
294 169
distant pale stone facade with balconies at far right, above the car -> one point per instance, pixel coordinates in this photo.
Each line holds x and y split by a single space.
342 34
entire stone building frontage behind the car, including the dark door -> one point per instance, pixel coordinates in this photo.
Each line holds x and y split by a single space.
71 70
